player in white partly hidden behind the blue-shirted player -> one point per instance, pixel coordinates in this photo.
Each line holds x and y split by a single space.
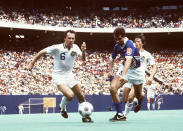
146 59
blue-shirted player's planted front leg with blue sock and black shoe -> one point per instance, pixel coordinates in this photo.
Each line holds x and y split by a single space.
115 85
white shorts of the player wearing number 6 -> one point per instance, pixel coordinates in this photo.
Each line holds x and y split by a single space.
67 79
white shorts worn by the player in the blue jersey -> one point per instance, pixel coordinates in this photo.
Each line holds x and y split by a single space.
134 76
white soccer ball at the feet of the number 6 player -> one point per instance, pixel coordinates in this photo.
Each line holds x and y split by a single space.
85 109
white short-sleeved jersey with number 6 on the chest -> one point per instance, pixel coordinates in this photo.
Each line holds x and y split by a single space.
63 58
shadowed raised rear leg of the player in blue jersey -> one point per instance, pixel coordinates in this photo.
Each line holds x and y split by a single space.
139 96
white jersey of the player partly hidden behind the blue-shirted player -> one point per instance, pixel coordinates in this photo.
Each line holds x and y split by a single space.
146 59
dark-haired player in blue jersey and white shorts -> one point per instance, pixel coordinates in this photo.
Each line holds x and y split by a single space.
130 71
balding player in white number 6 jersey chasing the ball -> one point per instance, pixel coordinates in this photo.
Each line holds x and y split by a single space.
65 55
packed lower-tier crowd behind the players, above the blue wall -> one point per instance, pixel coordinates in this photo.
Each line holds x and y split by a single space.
16 80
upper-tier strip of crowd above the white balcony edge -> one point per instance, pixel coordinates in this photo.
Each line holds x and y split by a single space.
62 18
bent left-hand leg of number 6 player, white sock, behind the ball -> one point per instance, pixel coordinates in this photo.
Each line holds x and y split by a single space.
68 96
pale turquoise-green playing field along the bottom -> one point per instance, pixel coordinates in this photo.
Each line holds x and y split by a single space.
164 120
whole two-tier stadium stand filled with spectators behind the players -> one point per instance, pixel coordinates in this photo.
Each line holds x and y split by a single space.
29 26
